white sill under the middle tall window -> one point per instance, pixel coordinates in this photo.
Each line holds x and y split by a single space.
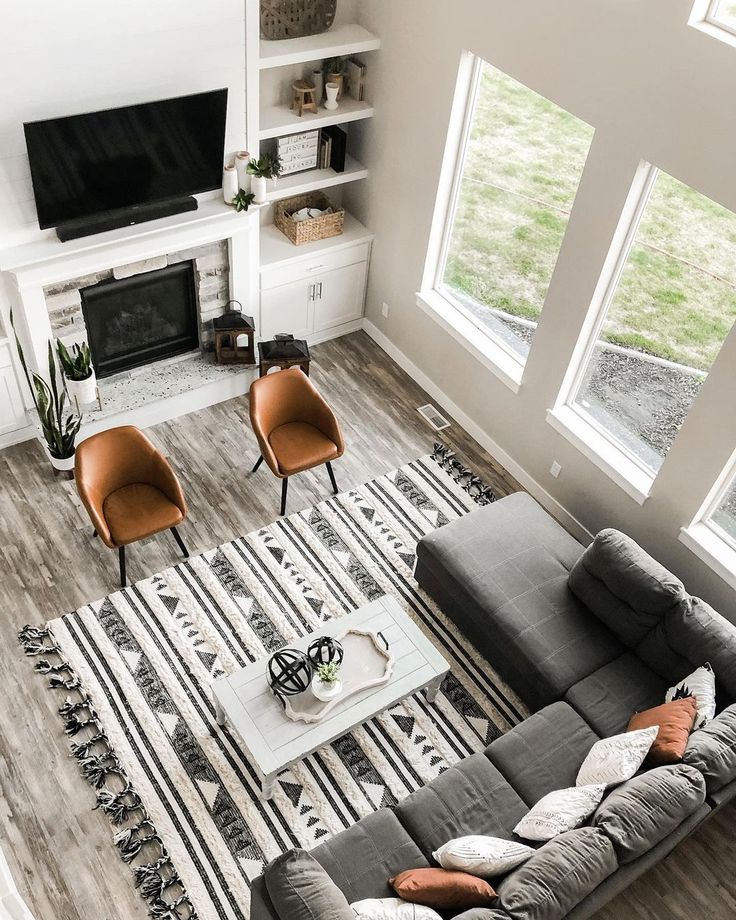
590 442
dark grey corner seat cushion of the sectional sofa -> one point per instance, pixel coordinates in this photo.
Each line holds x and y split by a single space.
608 698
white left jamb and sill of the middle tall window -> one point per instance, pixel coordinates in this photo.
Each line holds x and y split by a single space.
567 416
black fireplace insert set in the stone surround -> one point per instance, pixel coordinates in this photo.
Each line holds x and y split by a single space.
141 319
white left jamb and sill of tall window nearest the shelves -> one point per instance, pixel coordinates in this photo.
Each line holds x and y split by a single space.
435 300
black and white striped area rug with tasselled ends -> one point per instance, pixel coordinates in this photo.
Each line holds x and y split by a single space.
135 669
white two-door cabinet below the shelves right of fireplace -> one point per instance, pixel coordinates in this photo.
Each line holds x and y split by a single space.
315 298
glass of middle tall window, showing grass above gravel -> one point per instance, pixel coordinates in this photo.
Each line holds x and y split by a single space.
667 314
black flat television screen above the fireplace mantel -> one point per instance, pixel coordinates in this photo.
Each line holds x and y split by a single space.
82 165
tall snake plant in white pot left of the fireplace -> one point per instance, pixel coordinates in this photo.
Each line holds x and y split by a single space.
59 429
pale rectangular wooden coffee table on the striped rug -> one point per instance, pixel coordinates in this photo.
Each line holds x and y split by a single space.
273 741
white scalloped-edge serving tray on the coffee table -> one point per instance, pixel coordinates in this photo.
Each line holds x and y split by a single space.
366 663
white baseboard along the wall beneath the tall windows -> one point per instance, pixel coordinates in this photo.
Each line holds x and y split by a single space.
547 501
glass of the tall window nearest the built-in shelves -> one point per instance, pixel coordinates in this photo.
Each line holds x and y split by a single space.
519 172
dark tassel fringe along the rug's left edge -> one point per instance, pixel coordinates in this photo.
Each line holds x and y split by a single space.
100 765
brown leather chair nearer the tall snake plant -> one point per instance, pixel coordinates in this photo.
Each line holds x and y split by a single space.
128 488
